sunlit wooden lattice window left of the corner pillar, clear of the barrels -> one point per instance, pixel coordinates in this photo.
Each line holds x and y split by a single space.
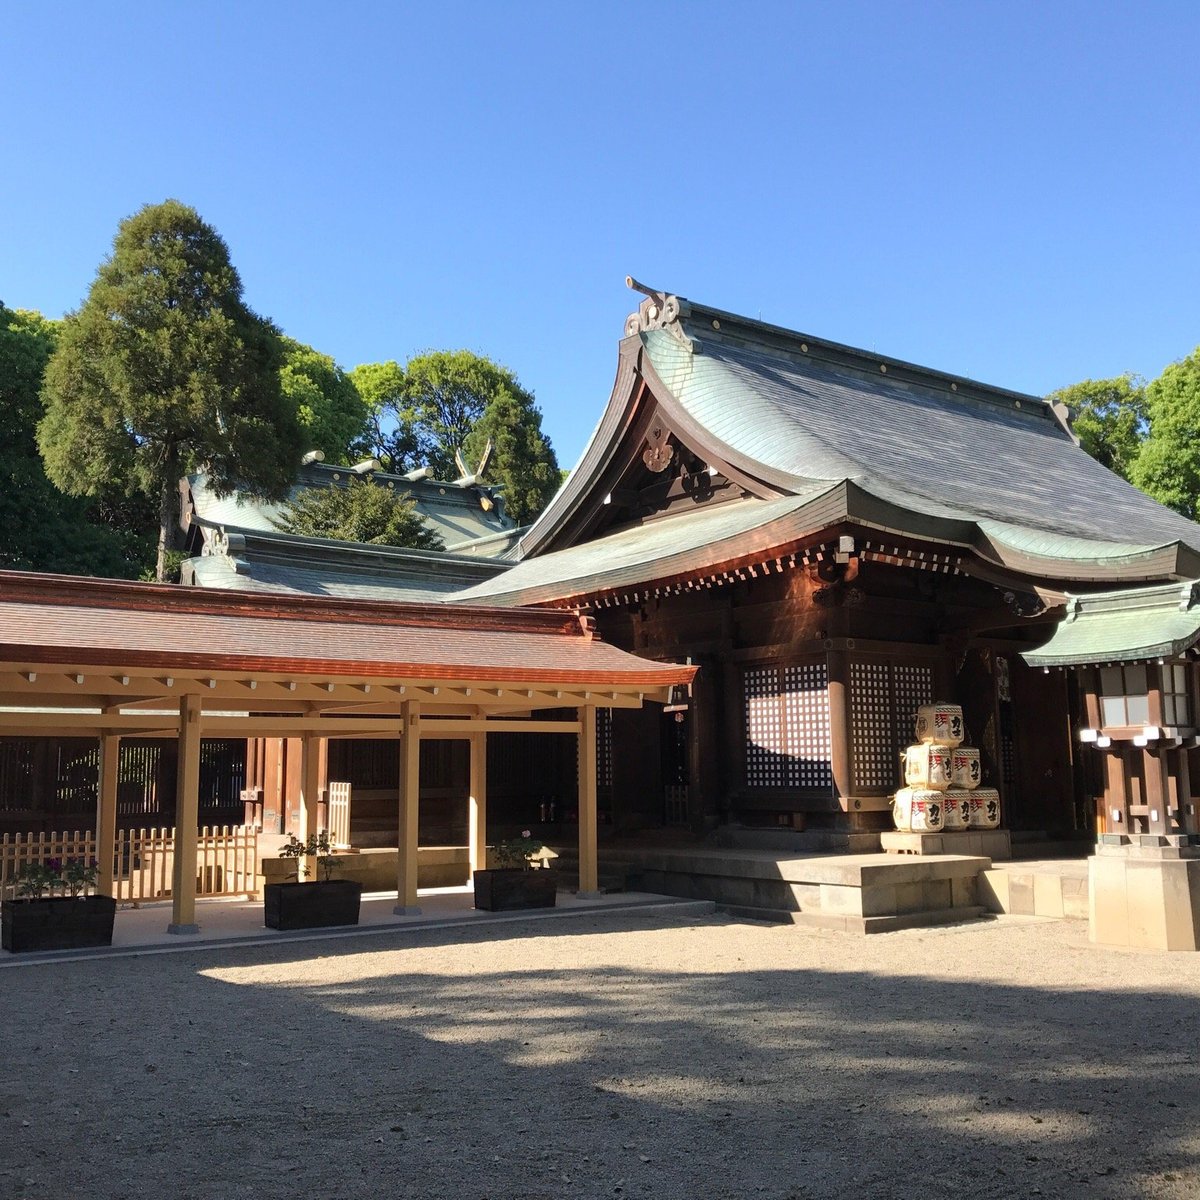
788 727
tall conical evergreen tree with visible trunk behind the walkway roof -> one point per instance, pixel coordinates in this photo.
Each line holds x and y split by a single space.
166 370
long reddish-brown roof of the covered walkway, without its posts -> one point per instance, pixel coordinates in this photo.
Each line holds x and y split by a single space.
81 656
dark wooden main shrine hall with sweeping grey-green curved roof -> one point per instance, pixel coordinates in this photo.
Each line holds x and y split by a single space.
835 537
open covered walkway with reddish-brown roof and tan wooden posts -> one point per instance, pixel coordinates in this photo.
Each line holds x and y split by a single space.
116 661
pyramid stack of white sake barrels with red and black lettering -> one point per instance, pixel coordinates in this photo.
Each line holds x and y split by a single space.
943 779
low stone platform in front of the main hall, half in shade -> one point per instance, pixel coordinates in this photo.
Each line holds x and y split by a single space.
857 893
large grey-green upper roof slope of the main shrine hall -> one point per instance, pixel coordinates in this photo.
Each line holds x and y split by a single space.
913 442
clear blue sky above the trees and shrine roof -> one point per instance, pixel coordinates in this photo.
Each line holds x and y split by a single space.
1005 190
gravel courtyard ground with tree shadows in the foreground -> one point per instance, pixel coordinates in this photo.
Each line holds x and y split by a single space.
614 1057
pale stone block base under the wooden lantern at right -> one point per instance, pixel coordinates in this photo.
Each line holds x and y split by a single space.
1145 896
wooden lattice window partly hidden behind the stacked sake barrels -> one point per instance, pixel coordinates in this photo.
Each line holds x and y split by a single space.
885 697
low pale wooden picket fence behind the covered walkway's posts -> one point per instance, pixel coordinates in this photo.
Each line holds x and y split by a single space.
226 860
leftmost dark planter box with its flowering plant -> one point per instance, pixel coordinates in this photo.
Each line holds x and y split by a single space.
40 920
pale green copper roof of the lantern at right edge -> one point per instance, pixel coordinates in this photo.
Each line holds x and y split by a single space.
1124 627
